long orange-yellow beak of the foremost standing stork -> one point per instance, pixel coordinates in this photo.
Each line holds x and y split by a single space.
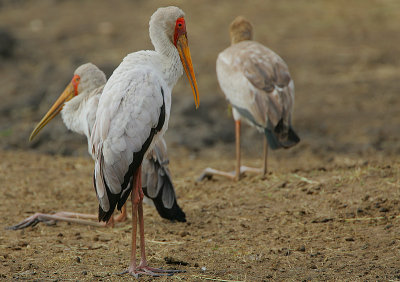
186 59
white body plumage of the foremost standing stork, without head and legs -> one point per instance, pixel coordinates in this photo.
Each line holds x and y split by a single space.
128 109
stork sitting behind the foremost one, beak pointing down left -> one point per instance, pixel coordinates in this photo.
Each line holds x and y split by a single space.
78 106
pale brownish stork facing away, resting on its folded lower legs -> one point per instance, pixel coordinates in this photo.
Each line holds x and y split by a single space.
257 83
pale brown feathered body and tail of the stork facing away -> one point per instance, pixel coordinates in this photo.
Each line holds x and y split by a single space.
257 82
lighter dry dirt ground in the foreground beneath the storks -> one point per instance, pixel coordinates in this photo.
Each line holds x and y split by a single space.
308 220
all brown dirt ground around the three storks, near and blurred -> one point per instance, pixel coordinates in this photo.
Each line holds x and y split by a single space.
329 208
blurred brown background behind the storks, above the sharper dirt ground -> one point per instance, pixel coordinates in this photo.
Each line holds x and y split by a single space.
344 57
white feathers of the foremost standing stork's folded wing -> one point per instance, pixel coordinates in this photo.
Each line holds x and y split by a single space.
129 109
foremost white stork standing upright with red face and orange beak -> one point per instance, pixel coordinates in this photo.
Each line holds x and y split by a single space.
133 113
